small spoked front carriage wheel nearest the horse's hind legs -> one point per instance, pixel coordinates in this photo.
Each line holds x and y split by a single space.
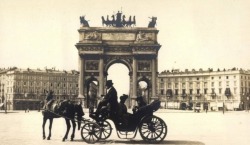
90 132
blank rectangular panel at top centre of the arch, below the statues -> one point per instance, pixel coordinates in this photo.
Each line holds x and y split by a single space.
118 36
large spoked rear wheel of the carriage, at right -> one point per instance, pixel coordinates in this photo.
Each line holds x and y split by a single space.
153 129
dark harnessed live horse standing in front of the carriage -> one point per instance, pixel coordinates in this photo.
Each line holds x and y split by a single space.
67 110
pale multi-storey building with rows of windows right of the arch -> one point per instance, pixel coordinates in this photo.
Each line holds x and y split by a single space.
185 89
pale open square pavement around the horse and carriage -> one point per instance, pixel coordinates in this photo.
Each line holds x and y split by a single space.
184 128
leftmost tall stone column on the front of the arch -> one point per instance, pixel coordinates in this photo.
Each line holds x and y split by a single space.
81 77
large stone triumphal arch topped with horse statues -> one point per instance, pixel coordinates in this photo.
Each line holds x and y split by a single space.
118 41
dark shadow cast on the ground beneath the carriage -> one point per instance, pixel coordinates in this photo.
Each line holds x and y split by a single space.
141 142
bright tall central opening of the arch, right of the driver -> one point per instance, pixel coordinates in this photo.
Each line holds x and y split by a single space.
119 74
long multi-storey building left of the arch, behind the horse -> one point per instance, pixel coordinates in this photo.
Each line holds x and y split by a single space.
26 88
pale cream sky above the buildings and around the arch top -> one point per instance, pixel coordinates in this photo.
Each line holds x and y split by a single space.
193 33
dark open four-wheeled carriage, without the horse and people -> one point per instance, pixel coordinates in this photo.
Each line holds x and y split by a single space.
152 129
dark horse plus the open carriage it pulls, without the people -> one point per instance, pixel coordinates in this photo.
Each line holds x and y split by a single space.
152 129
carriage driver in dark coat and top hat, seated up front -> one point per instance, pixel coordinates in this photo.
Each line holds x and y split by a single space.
110 97
